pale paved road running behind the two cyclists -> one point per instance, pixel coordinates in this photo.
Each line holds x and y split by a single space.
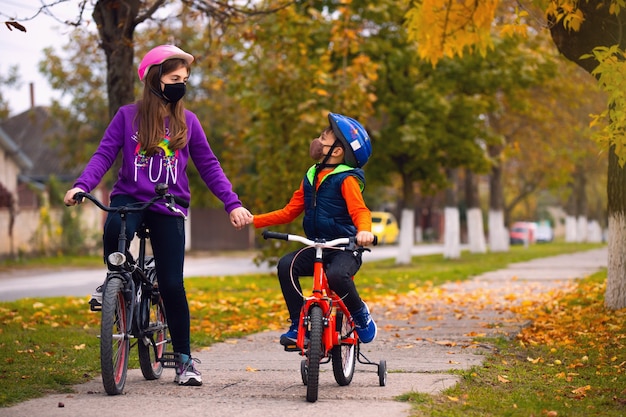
72 282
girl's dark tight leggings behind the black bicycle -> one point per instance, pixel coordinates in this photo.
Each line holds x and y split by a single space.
167 237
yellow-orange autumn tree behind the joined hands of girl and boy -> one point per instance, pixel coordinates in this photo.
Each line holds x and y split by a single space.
286 93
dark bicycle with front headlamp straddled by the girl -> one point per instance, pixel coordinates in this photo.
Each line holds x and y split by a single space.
132 308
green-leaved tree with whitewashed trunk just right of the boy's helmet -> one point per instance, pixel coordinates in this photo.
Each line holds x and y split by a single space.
424 122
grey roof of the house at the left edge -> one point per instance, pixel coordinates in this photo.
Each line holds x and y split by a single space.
36 133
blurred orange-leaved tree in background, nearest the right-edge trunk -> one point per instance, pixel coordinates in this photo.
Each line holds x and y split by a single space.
549 145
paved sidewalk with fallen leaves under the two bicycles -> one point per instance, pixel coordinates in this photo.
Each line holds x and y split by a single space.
425 336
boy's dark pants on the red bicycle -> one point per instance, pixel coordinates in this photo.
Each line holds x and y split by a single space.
340 268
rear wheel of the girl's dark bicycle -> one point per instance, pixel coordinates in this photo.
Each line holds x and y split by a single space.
154 337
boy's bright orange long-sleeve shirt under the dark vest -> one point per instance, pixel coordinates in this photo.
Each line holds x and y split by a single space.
351 192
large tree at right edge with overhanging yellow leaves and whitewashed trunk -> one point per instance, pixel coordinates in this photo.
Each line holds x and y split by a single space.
585 32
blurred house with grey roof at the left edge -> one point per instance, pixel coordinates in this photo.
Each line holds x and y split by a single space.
28 223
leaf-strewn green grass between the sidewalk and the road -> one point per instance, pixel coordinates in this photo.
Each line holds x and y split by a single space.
49 344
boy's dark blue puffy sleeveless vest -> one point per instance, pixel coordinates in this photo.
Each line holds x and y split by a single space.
328 216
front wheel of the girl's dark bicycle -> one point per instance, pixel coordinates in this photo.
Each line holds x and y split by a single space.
114 341
